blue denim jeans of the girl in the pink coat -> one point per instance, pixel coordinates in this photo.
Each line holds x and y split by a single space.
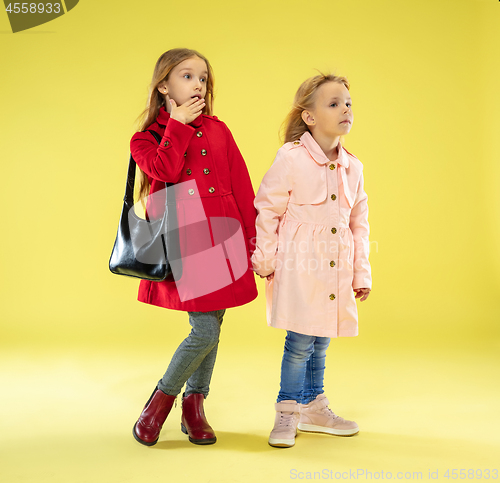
302 367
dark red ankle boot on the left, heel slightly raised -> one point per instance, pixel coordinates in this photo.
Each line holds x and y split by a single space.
147 428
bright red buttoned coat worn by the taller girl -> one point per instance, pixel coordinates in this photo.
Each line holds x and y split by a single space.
203 151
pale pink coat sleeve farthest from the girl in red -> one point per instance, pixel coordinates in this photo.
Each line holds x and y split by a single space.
360 230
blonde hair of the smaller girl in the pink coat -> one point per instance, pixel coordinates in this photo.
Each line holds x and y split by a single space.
294 126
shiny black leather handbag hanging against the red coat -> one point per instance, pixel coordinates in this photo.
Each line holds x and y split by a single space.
142 247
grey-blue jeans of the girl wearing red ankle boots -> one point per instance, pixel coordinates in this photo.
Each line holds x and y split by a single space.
193 361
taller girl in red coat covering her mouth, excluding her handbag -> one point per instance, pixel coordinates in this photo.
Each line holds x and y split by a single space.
216 219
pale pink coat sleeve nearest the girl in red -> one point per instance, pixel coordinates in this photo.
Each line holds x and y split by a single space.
271 203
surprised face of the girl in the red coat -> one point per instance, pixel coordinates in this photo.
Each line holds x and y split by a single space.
185 81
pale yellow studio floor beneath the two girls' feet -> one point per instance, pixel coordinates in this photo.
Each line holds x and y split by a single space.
67 417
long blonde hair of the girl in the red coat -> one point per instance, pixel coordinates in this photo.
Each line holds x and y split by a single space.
163 67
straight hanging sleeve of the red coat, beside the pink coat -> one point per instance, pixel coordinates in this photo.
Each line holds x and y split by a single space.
241 186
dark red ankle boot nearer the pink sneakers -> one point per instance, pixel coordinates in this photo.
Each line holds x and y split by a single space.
194 423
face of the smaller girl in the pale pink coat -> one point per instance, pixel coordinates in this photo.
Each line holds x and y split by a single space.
332 113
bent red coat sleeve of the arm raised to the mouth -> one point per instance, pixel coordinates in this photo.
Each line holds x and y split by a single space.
165 161
